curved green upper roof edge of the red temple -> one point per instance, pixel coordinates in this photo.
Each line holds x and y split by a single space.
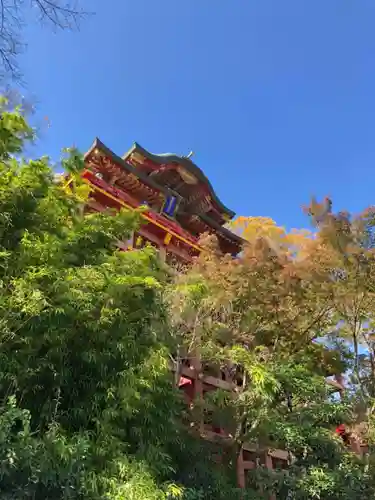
186 163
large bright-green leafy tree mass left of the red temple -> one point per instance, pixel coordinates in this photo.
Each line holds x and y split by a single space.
88 403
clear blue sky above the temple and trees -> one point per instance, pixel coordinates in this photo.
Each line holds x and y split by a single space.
276 98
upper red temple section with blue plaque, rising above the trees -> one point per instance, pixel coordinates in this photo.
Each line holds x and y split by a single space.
181 203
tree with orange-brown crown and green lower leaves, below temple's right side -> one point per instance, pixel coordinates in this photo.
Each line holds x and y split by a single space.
261 315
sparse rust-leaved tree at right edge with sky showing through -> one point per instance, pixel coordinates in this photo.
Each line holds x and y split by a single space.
346 246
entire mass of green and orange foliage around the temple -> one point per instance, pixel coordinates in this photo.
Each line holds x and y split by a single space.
88 403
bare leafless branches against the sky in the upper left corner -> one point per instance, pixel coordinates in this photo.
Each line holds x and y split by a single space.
60 14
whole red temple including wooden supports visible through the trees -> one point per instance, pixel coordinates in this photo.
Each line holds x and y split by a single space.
180 206
